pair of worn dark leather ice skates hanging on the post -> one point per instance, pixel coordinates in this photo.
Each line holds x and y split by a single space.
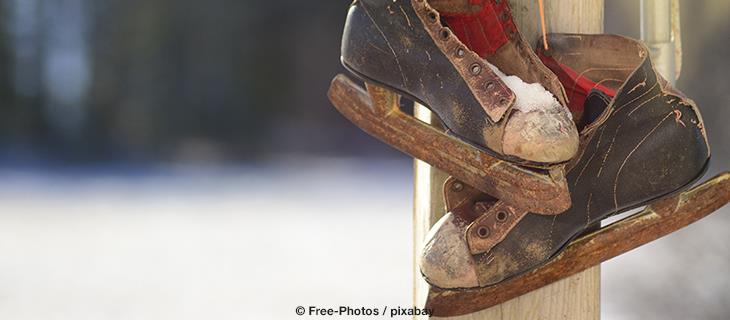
574 135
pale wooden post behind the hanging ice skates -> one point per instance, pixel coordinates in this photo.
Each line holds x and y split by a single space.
577 297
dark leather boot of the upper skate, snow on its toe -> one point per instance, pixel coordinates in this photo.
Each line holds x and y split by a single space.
404 46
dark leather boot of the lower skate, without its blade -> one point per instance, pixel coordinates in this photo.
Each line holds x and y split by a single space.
649 142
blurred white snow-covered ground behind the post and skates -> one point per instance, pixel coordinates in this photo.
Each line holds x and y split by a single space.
255 243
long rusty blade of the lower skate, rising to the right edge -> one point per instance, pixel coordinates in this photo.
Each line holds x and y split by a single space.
659 219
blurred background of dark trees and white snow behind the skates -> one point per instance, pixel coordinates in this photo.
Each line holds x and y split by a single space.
166 159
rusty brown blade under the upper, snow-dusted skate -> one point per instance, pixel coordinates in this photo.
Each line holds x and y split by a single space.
377 112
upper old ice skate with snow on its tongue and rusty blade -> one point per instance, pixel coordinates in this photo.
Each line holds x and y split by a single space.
492 142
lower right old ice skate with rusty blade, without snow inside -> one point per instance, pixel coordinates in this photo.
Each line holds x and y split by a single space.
645 146
